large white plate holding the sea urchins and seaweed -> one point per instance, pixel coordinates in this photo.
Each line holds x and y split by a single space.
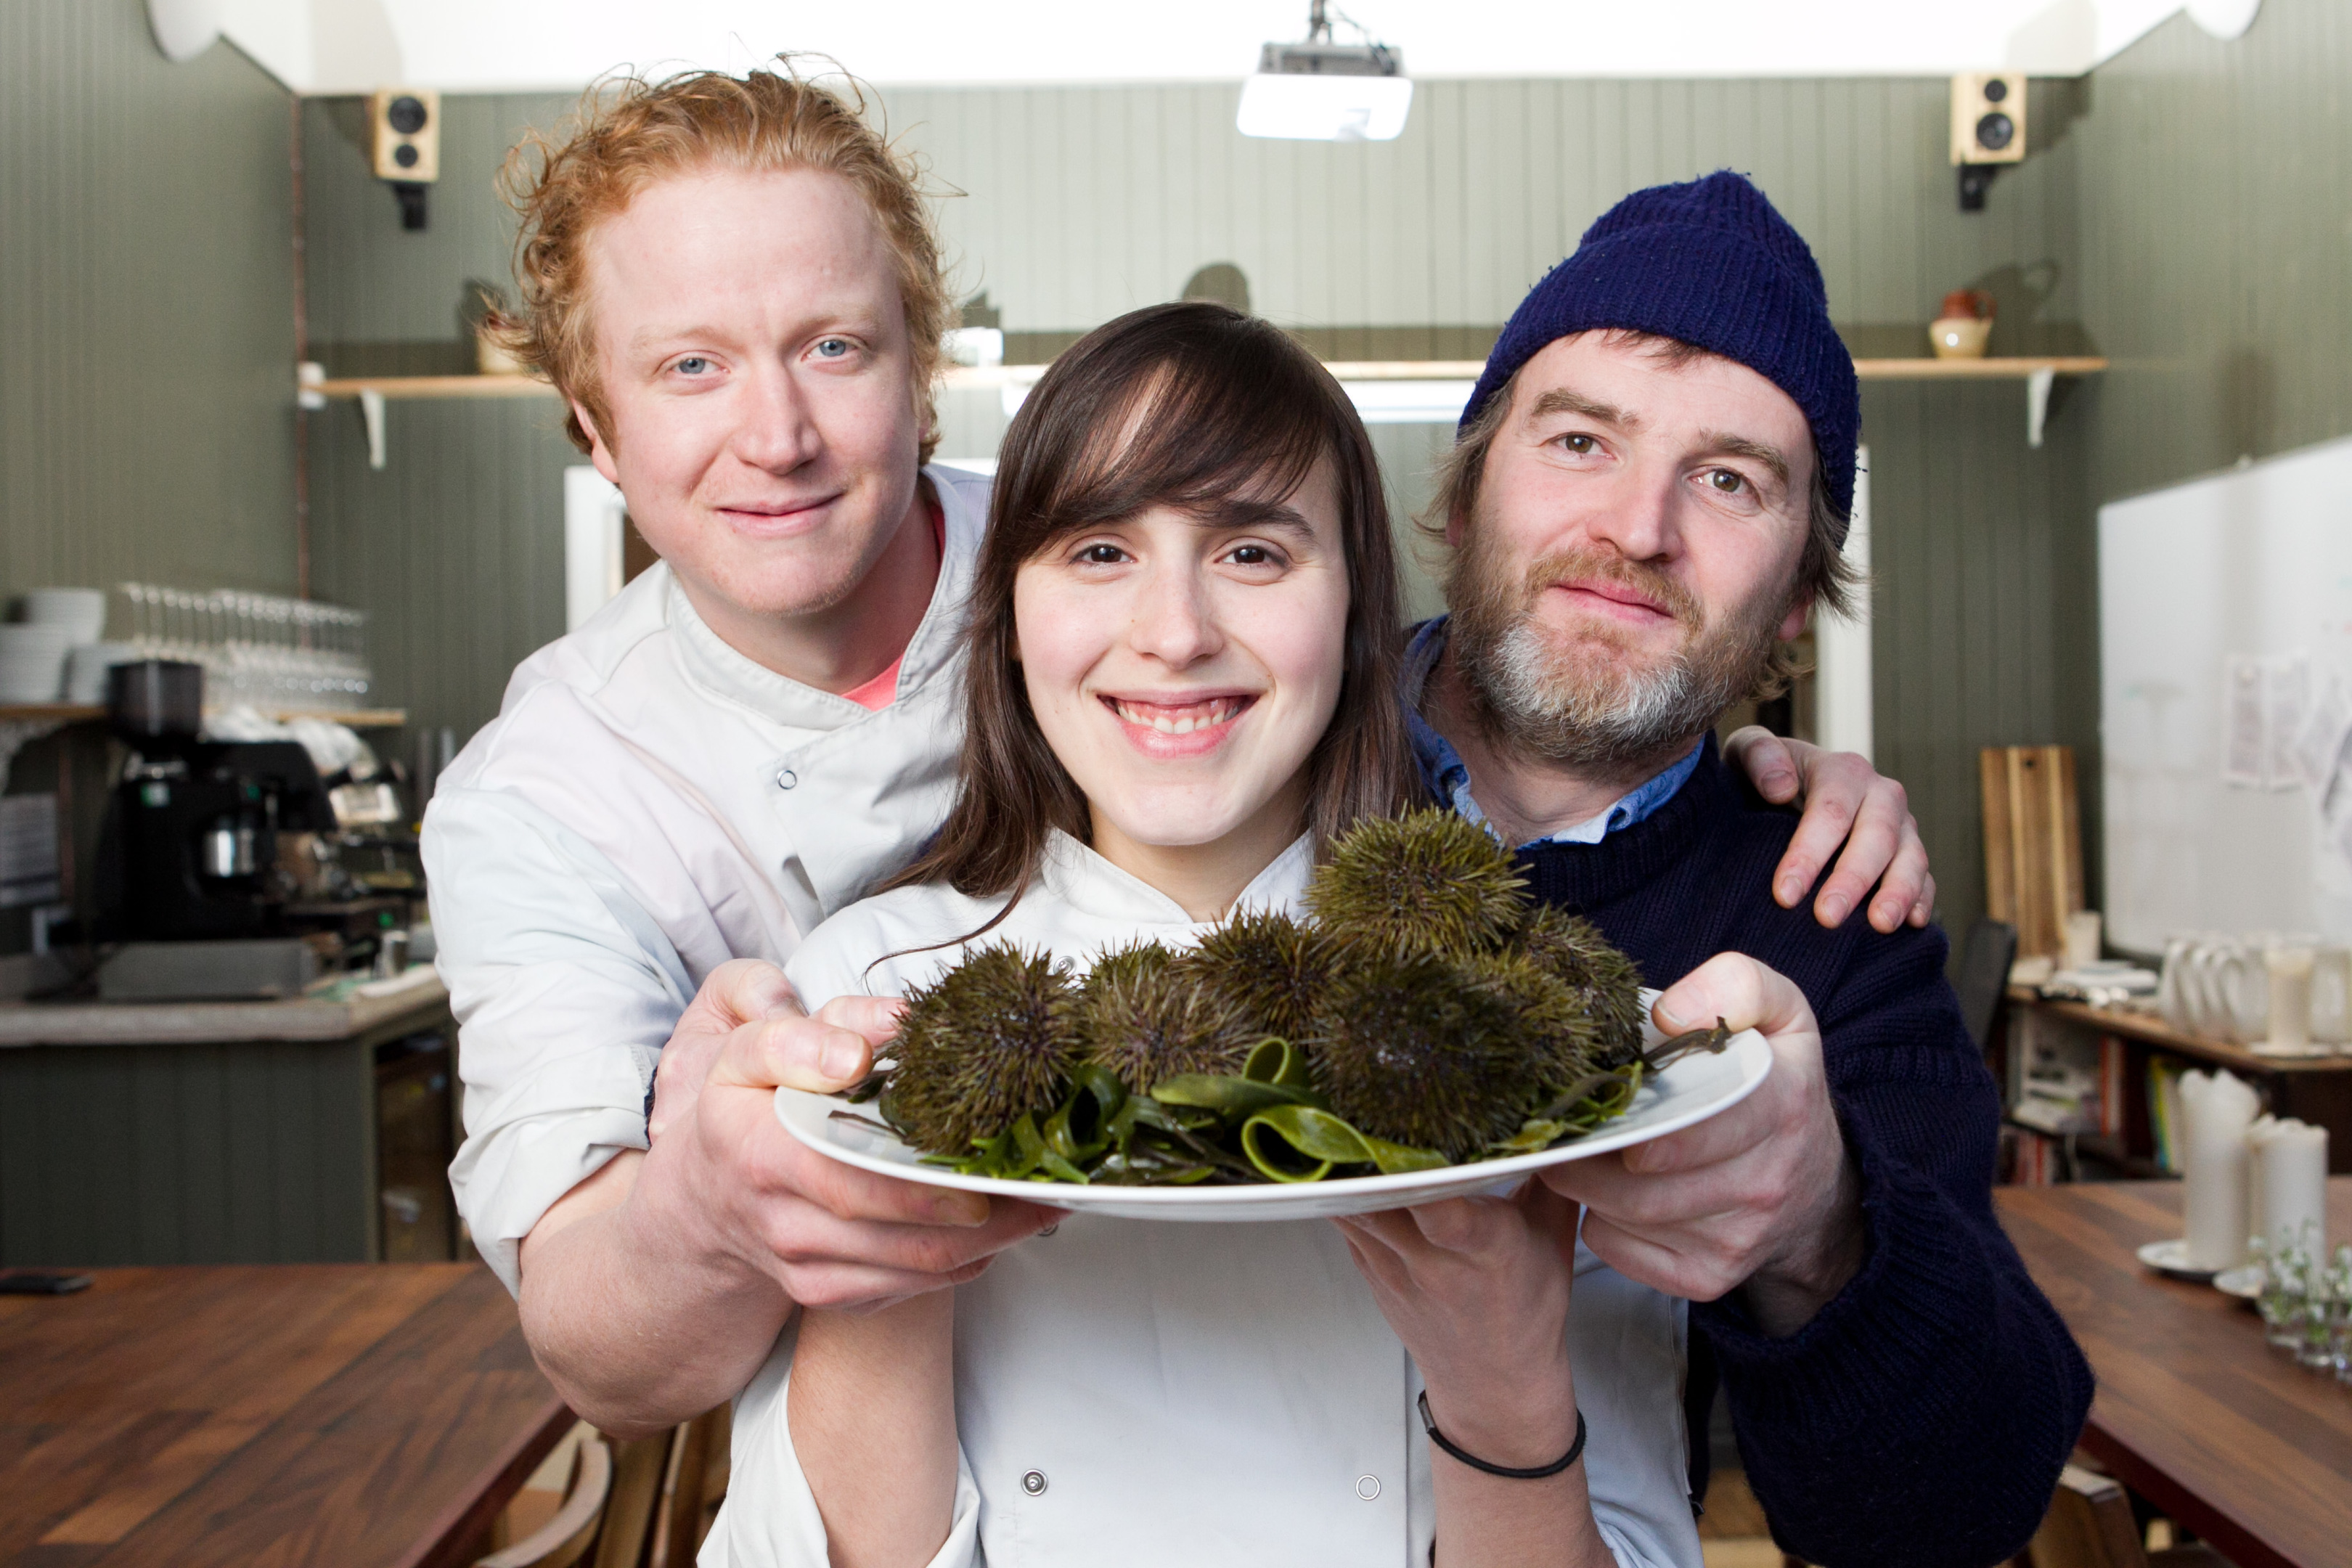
1688 1092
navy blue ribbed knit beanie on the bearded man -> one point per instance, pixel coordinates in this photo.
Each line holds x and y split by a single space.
1713 267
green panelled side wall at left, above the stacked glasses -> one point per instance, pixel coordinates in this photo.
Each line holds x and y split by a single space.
147 321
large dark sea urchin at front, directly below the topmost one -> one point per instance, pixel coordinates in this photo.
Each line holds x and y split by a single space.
1426 1052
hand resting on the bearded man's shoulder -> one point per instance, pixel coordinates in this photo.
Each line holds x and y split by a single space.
1845 803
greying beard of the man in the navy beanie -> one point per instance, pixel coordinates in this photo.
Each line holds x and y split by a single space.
1605 718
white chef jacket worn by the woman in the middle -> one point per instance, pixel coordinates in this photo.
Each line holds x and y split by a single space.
1154 1393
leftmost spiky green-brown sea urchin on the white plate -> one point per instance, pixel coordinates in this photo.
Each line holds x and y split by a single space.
987 1043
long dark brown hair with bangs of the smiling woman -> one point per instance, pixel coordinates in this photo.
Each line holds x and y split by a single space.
1212 413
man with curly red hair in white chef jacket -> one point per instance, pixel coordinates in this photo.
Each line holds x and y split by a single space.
737 290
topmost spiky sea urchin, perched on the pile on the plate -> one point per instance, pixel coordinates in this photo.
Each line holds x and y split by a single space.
1419 883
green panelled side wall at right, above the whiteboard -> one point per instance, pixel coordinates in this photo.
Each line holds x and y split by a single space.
2217 217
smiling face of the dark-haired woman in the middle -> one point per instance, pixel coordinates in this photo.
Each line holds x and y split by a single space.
1187 671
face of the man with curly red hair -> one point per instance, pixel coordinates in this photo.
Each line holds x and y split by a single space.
761 384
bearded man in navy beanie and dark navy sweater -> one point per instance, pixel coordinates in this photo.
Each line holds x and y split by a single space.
1648 497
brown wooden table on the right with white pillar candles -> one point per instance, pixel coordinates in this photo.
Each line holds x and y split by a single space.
2193 1412
